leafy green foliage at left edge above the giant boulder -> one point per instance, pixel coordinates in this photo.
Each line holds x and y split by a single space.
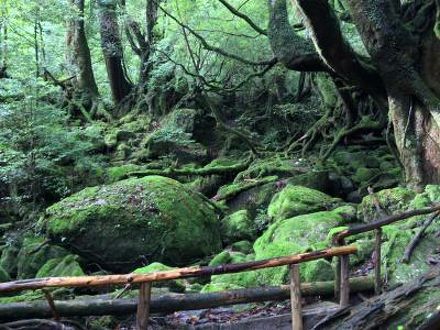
43 155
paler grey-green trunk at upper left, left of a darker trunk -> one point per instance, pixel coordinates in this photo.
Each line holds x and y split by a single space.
79 59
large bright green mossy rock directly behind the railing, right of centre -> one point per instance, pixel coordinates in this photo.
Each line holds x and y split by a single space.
291 236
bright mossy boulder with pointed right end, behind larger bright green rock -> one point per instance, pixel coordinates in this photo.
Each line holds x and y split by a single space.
297 200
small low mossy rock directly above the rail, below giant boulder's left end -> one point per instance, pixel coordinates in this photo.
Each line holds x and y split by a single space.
64 266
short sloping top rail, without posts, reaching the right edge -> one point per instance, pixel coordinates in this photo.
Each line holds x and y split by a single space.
358 229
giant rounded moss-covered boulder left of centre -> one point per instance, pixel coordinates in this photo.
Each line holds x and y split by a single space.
120 224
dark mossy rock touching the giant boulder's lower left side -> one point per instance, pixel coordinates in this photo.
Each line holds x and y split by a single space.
34 254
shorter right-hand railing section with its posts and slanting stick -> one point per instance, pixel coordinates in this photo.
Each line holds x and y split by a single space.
342 268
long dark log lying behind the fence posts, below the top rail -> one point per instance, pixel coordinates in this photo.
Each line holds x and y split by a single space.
171 303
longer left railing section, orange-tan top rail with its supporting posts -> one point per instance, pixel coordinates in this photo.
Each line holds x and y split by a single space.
146 280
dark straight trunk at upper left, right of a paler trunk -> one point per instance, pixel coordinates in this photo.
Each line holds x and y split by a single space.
112 49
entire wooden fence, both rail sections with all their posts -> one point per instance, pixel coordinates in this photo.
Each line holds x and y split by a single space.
340 250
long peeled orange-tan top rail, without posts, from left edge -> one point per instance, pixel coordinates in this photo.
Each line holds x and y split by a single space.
90 281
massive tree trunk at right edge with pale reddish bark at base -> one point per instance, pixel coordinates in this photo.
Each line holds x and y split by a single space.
411 78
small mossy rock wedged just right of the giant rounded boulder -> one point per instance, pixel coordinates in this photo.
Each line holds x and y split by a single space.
238 226
